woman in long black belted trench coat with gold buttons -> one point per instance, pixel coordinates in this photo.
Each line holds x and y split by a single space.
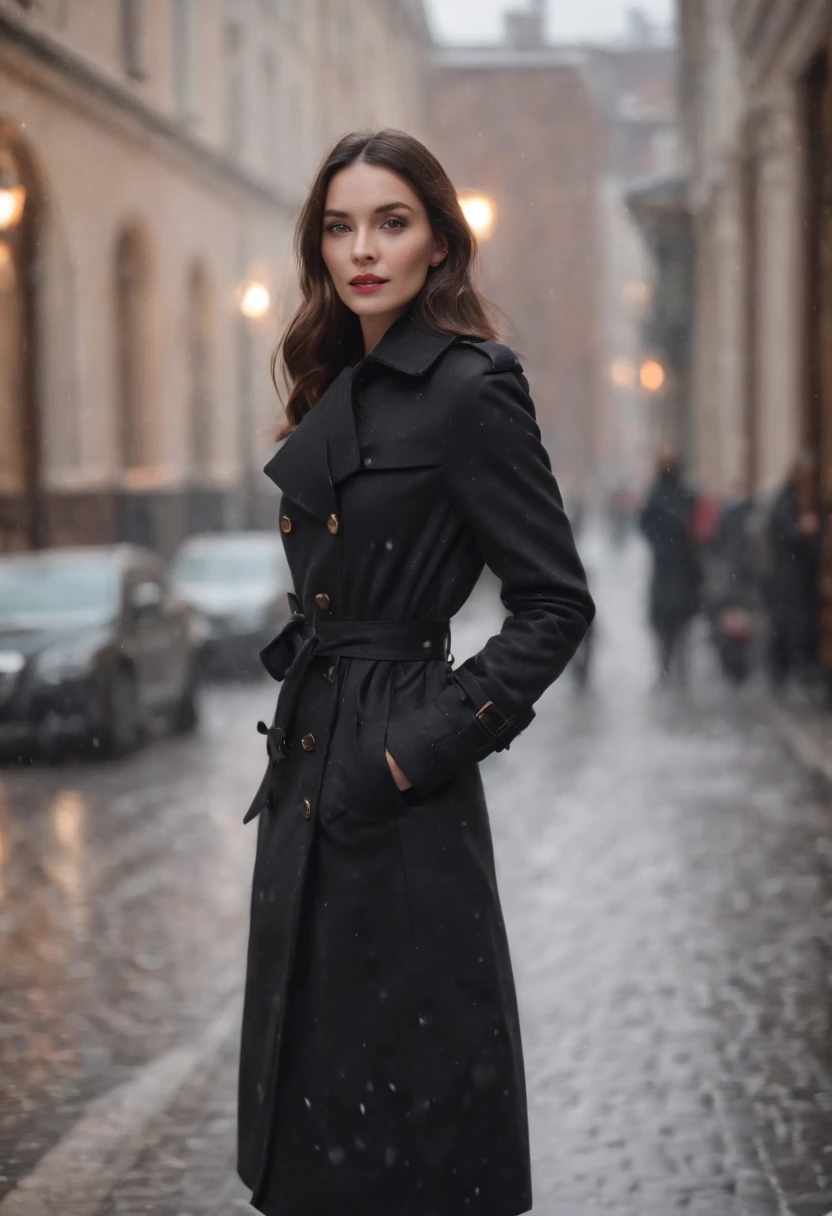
381 1068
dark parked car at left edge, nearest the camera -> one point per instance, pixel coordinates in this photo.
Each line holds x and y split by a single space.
93 649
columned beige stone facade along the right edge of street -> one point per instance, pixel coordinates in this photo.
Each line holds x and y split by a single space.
757 112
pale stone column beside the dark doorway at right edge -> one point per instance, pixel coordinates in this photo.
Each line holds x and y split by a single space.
780 294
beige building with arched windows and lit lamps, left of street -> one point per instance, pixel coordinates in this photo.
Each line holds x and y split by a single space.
153 160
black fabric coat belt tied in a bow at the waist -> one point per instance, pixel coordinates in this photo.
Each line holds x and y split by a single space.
288 657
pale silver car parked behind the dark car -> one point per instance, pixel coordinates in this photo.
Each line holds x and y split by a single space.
239 582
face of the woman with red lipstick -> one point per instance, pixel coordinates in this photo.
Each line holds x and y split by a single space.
378 243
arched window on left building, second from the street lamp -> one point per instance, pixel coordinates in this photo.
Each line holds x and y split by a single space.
132 348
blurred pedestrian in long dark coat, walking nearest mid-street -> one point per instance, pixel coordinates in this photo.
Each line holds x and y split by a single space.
667 522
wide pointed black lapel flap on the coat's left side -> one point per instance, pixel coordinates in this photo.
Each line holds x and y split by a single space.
301 468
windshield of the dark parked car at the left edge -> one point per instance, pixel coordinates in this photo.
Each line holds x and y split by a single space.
83 588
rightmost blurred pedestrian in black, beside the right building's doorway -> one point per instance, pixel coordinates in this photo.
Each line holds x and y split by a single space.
795 541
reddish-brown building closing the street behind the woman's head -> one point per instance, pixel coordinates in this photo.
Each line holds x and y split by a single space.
518 123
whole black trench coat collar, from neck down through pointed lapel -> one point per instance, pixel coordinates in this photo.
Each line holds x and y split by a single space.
324 451
